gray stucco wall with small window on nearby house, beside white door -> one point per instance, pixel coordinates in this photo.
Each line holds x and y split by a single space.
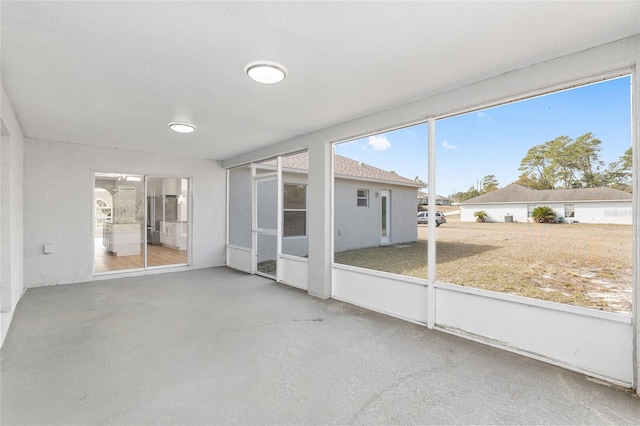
357 227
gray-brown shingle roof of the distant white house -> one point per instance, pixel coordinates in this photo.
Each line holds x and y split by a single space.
515 193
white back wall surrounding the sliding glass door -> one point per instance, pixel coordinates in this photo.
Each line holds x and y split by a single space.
59 202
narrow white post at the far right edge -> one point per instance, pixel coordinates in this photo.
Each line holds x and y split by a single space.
635 138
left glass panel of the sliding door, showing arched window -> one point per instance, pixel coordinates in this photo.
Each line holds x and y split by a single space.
118 222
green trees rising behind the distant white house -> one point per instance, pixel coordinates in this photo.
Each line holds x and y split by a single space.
563 163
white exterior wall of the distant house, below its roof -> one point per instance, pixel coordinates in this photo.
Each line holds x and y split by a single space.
611 212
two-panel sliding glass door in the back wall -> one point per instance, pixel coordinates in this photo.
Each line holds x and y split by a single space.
140 222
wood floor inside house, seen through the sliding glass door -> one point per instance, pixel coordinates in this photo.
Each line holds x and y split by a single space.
157 255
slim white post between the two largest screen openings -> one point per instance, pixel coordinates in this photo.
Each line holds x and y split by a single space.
431 243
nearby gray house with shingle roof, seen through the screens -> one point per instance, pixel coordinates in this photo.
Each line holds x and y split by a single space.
372 206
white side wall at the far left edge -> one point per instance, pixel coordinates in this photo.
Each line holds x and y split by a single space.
11 213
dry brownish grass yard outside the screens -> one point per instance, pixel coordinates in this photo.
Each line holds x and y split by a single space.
578 264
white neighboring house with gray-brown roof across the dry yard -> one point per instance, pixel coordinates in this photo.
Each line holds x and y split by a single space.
583 205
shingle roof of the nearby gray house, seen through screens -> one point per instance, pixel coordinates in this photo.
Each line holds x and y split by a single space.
348 168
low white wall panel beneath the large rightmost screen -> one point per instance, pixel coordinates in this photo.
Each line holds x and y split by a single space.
586 340
